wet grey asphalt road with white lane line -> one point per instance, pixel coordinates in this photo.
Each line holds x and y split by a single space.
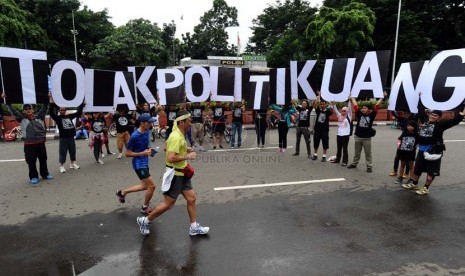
362 225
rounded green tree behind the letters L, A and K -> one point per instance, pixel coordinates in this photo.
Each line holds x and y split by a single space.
138 43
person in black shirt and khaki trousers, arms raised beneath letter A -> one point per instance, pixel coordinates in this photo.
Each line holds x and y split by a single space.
364 132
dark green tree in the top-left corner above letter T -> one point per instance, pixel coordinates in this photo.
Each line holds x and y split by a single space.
18 29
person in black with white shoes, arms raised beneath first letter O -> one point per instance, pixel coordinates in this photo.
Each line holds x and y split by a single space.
67 131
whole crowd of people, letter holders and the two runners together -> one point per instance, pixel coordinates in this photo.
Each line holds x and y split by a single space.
419 149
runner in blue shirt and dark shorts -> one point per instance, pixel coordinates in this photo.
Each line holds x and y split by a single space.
139 149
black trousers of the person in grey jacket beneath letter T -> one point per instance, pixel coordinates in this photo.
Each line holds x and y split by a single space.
31 154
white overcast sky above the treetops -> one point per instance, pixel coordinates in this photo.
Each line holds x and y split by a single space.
189 10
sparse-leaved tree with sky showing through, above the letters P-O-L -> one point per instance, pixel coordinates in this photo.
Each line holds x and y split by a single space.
210 36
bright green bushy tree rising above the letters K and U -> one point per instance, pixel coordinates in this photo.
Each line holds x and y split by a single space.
341 32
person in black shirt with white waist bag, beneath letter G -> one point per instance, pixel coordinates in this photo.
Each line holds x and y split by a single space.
430 150
